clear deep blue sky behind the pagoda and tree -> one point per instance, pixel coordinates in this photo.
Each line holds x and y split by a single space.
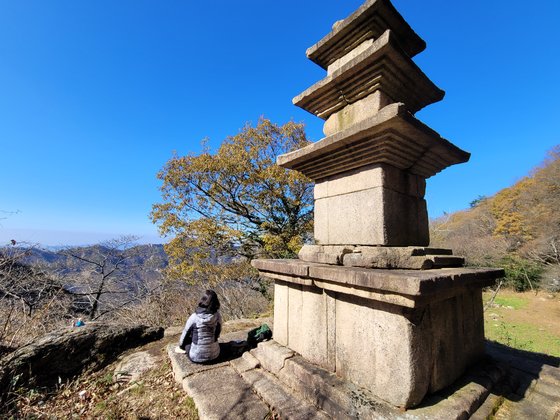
96 95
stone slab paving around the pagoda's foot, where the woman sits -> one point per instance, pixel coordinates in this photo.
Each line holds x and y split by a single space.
274 382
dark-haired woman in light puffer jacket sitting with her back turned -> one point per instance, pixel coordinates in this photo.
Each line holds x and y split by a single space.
203 329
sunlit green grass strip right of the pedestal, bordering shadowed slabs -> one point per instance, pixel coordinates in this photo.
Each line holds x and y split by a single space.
522 336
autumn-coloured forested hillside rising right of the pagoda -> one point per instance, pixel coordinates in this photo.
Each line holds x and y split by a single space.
518 229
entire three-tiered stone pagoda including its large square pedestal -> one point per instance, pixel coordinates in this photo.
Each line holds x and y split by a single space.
370 301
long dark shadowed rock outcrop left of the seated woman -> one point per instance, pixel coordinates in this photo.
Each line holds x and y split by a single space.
65 353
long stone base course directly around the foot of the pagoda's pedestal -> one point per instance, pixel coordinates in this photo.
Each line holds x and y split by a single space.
341 399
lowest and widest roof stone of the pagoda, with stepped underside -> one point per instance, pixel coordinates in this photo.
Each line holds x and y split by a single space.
393 136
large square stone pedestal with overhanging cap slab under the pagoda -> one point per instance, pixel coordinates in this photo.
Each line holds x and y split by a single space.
401 333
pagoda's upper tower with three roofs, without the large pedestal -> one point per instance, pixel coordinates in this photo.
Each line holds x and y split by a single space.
371 167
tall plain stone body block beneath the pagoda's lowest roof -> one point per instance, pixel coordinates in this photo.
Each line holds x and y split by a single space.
373 205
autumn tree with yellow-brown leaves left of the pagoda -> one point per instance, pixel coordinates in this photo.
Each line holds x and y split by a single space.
225 208
